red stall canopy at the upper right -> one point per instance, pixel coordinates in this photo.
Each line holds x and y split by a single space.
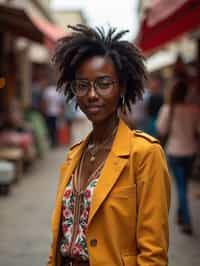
166 20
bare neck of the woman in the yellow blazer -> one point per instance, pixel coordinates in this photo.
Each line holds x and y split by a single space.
103 130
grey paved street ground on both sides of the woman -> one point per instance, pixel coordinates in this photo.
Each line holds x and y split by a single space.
25 219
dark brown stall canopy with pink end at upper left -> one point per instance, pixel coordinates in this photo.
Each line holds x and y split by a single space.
21 23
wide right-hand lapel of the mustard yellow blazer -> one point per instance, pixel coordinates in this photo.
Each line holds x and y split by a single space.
115 163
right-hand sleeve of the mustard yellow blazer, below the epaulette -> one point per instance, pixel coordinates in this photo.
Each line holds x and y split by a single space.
153 202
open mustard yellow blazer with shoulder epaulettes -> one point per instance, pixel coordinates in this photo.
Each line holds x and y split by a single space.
128 219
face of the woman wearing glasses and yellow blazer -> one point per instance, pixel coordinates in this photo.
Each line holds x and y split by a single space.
98 104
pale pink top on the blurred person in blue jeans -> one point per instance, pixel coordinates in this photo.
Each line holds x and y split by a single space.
185 124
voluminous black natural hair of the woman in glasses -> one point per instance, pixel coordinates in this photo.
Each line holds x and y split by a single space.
85 42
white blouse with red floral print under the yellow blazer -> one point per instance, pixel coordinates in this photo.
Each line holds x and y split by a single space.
75 213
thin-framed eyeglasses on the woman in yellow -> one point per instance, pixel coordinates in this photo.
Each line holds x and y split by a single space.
103 86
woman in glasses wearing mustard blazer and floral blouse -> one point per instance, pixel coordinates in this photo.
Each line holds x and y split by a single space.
113 196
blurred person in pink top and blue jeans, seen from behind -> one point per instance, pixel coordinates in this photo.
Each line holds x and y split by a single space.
181 121
